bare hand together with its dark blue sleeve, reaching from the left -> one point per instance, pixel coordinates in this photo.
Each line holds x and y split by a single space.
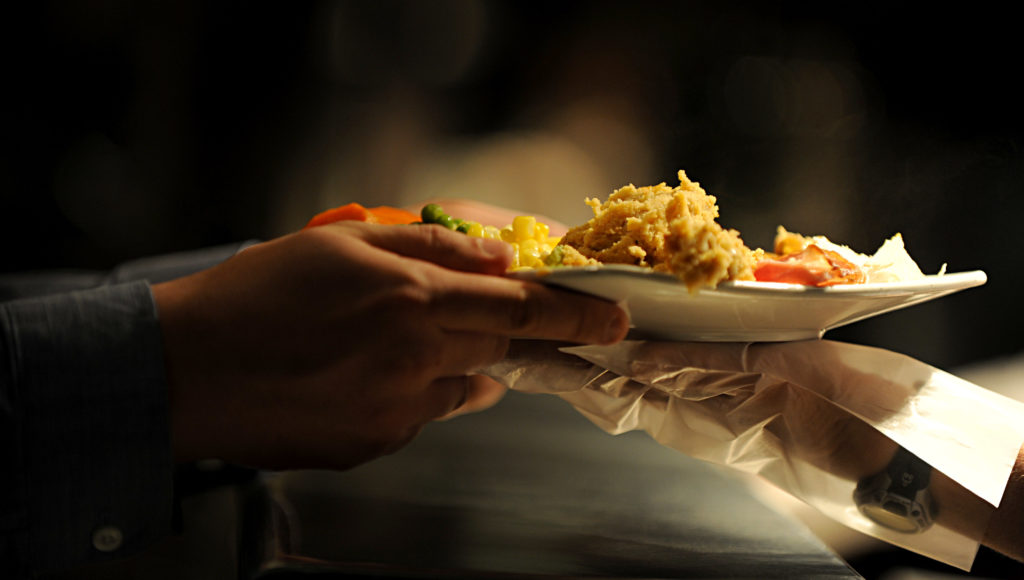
325 349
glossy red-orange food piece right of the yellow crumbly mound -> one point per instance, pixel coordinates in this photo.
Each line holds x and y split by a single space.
812 267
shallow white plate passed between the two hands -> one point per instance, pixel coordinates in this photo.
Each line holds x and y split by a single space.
662 308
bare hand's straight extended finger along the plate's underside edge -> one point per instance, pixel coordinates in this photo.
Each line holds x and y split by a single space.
526 310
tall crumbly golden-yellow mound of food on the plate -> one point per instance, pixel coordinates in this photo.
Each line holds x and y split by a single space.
667 229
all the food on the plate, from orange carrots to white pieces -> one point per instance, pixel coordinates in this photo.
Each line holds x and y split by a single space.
670 230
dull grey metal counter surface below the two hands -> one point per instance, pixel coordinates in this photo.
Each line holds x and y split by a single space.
531 489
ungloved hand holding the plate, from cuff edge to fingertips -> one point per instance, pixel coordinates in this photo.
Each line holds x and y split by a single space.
336 345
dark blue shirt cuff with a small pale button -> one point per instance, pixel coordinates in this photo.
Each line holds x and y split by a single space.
88 391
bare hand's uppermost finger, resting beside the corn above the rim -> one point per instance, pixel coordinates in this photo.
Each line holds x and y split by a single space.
440 246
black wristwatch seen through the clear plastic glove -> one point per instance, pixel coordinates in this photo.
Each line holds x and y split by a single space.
898 498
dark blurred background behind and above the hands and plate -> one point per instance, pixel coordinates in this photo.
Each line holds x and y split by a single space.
138 129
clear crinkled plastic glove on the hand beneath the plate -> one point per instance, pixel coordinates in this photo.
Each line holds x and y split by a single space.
815 419
